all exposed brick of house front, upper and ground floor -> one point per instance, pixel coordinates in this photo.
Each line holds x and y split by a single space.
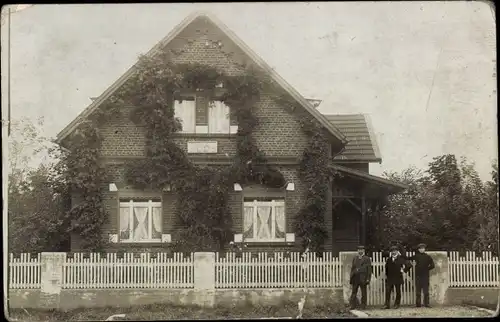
278 134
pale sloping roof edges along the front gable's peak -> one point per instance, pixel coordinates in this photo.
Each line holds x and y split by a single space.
251 54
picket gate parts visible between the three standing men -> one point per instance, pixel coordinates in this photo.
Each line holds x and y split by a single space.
376 288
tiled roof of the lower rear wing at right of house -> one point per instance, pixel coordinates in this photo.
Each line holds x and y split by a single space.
362 143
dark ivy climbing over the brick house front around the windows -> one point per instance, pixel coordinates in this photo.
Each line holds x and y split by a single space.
202 210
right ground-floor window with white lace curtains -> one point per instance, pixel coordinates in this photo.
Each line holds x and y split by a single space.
264 221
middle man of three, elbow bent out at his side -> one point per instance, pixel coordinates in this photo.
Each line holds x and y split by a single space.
394 268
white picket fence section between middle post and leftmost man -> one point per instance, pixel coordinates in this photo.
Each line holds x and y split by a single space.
279 270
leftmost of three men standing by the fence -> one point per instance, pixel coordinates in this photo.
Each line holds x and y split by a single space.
361 272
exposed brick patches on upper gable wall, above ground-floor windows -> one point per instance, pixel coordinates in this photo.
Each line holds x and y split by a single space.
278 132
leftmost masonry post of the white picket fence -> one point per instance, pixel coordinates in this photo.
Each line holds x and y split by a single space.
51 279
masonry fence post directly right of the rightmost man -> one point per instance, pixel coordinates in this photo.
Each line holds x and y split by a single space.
439 280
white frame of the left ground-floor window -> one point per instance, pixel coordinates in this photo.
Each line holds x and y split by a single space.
143 204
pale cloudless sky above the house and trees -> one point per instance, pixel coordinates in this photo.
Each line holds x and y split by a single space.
425 72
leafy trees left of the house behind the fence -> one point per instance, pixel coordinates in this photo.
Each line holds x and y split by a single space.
37 210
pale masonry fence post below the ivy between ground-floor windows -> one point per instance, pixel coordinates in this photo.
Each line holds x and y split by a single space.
204 278
